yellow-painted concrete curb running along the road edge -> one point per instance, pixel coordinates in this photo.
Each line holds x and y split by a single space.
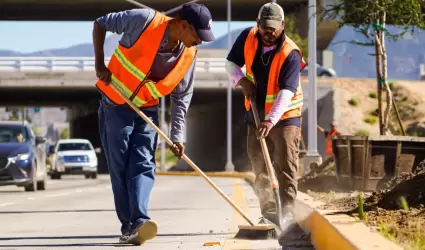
327 230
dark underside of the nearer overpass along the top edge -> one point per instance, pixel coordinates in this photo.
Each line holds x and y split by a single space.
89 10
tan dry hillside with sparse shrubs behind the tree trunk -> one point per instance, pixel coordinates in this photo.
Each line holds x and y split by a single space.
361 117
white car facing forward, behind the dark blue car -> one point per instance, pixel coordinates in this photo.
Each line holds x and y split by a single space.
74 156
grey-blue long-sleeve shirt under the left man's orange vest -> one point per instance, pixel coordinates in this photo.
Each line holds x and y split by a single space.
131 24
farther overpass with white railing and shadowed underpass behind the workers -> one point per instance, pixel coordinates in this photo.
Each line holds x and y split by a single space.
69 82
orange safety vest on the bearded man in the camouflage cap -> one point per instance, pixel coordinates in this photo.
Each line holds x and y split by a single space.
250 49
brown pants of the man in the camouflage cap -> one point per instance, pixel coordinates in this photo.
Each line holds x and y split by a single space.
282 143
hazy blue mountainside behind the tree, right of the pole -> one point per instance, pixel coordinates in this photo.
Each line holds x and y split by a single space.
404 56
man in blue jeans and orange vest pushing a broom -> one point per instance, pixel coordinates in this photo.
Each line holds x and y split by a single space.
155 57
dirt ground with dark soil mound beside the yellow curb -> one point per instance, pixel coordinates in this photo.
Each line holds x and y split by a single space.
384 210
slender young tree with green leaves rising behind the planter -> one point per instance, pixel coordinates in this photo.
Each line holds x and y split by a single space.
369 17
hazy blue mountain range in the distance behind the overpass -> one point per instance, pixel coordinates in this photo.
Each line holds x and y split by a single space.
350 60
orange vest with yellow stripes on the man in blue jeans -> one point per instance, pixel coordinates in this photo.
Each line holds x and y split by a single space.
130 68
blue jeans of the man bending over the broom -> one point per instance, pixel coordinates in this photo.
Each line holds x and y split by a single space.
129 145
